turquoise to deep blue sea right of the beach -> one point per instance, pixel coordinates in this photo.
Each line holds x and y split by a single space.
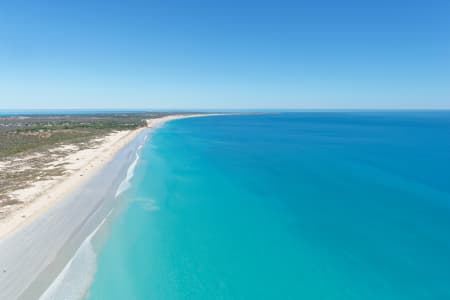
286 206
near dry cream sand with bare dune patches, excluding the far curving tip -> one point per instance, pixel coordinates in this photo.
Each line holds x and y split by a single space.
69 171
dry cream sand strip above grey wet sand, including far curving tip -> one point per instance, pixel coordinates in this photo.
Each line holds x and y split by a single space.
80 165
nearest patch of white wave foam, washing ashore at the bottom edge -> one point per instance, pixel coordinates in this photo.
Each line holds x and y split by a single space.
76 277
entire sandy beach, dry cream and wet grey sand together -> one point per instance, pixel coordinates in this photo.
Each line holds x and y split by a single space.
37 240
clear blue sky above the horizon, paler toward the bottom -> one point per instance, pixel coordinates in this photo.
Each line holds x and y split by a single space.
225 54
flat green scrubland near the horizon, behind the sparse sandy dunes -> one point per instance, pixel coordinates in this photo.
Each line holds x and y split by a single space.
22 134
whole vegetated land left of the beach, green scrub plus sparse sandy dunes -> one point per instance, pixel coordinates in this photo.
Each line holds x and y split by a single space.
32 146
